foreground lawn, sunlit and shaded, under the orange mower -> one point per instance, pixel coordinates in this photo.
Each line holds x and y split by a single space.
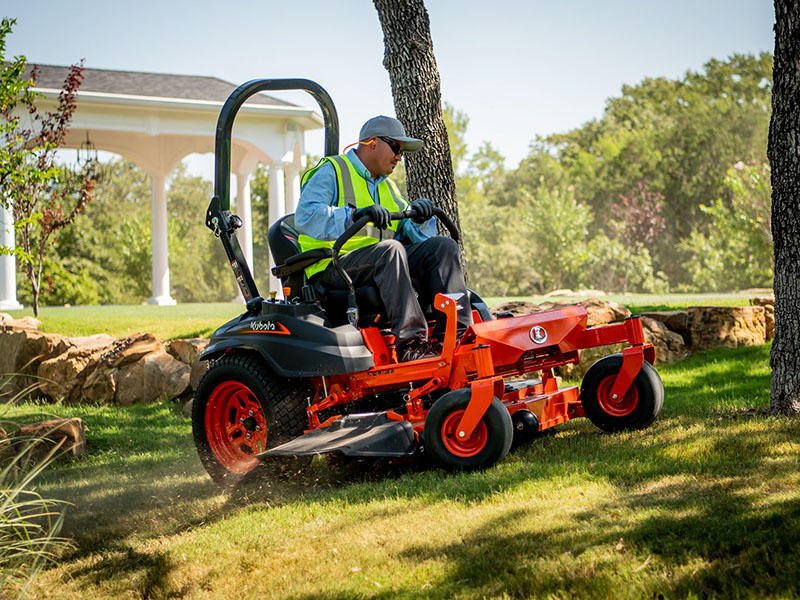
704 503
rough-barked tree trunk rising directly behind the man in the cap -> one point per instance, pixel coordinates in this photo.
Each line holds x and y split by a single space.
417 96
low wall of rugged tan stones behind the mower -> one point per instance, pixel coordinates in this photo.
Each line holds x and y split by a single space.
140 368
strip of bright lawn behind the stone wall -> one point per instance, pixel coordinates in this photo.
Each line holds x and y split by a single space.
200 320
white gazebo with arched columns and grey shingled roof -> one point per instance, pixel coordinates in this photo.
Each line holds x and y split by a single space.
156 120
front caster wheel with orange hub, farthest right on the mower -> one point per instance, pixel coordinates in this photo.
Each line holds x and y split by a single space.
637 409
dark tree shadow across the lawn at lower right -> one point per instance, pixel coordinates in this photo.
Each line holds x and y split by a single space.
721 523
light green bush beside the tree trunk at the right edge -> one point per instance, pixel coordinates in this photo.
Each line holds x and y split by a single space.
735 250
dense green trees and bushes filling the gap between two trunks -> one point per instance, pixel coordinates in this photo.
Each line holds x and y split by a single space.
645 172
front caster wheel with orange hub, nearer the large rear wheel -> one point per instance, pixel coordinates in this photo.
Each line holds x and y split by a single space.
489 442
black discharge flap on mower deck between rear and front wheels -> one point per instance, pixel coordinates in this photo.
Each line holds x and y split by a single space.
371 434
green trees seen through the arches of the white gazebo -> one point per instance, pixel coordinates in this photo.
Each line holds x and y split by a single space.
106 257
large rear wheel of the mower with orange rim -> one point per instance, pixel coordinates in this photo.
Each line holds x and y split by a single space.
242 408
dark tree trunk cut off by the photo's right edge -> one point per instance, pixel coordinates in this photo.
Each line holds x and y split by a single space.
784 158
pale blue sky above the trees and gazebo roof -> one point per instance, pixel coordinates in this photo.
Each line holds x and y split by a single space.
517 68
